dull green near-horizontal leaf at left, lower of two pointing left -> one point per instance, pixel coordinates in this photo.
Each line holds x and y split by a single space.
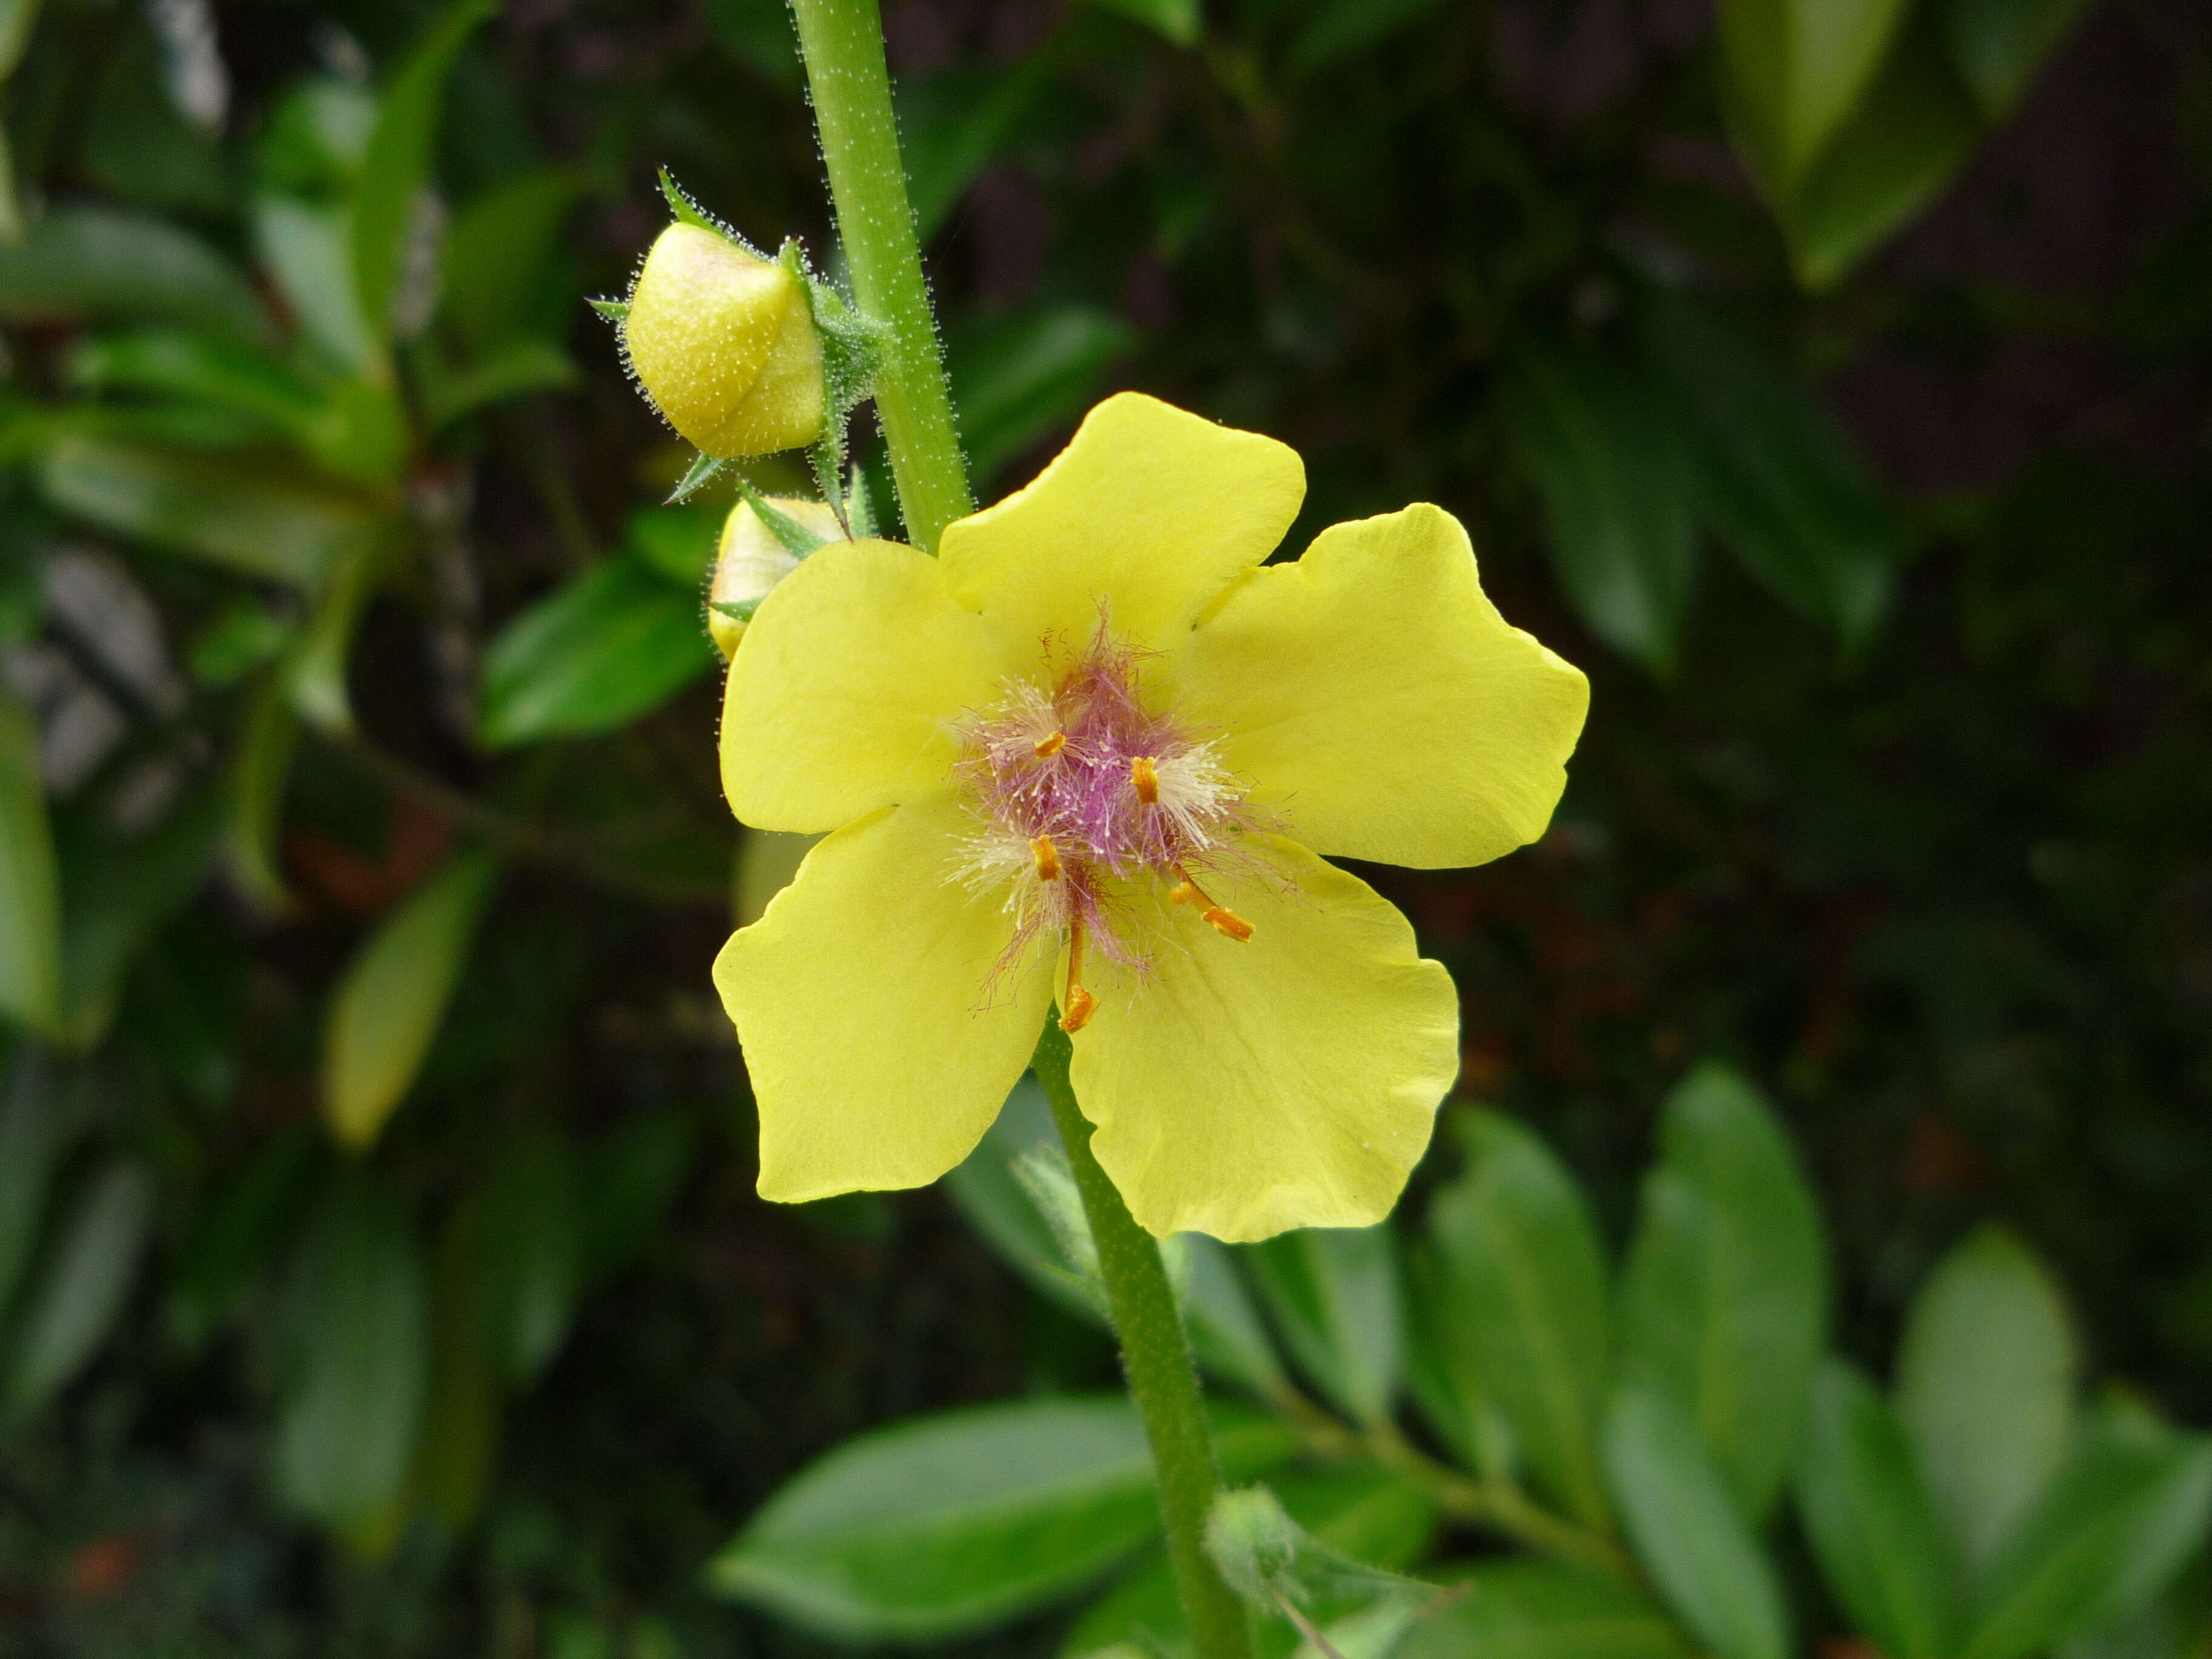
249 519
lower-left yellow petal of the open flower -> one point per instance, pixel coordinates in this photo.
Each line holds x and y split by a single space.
862 1005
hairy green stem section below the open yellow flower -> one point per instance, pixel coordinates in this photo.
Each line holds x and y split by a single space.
1162 1377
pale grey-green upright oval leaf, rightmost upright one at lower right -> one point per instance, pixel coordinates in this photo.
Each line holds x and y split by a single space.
1987 1388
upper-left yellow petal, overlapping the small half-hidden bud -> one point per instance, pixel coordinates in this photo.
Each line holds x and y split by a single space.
844 685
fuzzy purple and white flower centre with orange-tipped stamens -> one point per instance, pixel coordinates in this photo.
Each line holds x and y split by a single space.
1085 797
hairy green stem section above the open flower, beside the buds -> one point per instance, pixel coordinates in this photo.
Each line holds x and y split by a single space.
842 43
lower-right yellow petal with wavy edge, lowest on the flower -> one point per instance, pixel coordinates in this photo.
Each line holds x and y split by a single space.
1282 1083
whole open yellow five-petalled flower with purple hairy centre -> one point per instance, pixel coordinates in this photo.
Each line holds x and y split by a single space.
1096 753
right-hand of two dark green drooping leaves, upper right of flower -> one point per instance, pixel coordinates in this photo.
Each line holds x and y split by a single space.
1777 481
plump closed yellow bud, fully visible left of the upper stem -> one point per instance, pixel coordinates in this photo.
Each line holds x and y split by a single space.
724 344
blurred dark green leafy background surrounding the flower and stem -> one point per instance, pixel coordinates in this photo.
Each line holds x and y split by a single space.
377 1258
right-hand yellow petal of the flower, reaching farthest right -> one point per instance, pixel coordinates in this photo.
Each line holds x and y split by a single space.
1377 700
